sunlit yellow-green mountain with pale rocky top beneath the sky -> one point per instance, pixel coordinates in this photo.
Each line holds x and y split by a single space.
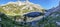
20 8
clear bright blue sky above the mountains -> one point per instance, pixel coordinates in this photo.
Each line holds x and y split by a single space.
46 4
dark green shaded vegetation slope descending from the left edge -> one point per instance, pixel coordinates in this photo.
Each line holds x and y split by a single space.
8 22
